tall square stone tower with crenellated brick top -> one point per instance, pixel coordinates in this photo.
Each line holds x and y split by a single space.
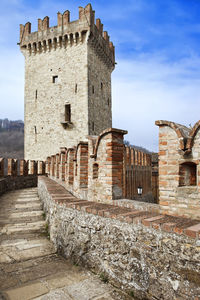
67 82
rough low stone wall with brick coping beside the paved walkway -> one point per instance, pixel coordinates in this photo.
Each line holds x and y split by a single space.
135 251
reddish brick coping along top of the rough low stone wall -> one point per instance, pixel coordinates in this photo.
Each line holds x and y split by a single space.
132 215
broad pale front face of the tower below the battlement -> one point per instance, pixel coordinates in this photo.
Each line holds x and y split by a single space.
44 133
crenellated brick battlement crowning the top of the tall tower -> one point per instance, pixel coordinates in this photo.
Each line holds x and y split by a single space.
67 34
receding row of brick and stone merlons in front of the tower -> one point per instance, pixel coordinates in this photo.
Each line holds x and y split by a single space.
93 170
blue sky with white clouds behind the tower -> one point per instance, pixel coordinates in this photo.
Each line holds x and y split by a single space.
157 75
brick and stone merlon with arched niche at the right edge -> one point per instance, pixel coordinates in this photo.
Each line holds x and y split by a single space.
179 169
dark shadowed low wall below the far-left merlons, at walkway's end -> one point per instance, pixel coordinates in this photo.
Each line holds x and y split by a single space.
10 183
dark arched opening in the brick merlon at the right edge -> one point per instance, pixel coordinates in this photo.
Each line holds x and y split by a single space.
187 174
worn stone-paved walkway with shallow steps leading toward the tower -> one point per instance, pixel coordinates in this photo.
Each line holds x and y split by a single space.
29 265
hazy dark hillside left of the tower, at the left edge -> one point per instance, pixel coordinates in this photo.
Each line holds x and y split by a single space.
11 139
